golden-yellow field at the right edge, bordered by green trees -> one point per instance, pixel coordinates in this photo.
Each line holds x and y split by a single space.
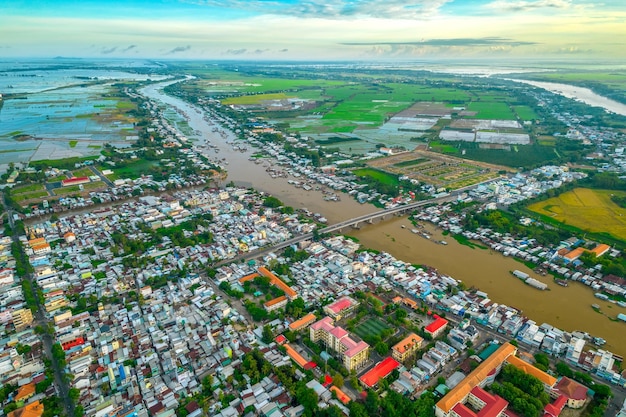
586 209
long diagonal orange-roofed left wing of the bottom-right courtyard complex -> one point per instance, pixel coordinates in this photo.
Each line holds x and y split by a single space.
484 373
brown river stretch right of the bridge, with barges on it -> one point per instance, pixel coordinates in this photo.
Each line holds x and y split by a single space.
568 308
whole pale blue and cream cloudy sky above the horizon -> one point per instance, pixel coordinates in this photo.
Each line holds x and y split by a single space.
315 29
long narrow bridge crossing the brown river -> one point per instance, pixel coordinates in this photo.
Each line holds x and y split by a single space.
338 227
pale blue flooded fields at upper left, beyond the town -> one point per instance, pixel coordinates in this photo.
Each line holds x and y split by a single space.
60 113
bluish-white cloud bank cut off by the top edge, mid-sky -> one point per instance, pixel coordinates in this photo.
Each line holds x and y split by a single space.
387 9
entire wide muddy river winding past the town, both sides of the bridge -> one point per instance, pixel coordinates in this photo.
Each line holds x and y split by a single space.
568 308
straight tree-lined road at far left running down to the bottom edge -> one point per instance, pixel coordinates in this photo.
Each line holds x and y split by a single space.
40 319
